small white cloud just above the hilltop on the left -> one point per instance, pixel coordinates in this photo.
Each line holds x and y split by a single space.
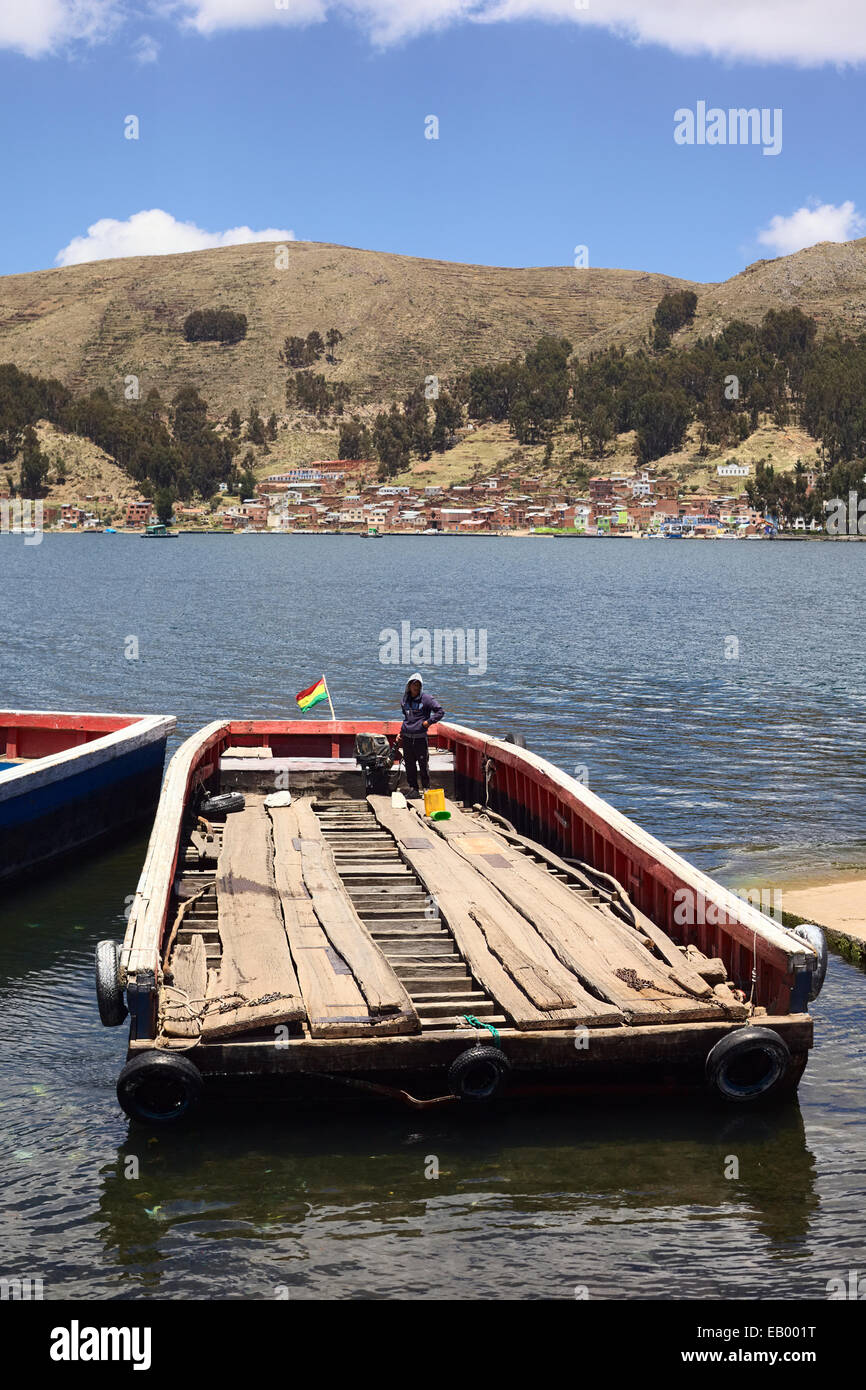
156 234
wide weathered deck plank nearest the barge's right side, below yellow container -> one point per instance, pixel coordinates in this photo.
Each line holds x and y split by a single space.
597 947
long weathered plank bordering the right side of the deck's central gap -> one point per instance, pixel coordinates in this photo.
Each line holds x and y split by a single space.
466 903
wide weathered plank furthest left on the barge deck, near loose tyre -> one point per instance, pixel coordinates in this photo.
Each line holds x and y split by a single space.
256 970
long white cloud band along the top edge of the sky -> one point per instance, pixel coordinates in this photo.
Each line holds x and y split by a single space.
797 33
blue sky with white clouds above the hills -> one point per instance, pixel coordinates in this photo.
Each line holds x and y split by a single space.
501 133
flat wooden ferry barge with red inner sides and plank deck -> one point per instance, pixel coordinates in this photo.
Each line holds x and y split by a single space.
340 945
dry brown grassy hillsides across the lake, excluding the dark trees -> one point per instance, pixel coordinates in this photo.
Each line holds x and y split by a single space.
402 319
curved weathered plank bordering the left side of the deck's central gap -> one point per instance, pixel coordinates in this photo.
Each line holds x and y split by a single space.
334 910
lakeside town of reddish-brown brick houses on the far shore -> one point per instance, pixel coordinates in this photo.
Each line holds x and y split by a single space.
330 497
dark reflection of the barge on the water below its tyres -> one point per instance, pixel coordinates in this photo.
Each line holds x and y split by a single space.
593 1196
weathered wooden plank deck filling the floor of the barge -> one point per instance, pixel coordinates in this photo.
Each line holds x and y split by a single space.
316 924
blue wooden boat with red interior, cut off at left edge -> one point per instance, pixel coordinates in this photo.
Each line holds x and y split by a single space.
67 780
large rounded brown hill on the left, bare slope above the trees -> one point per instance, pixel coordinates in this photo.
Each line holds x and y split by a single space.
402 319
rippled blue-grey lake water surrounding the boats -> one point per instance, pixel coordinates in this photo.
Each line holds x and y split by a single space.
712 692
